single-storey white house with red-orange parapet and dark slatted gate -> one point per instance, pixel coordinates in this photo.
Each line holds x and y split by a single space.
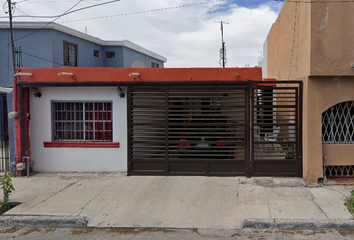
166 121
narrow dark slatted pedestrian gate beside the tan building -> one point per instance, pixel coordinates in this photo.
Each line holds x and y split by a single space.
276 145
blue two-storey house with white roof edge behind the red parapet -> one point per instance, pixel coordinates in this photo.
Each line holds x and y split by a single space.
51 45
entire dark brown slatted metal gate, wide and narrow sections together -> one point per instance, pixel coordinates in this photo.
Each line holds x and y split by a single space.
243 129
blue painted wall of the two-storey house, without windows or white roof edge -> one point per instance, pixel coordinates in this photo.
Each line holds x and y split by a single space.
44 49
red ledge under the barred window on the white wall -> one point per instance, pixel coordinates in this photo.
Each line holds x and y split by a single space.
81 144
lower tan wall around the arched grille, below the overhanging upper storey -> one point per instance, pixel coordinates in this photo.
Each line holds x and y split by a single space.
323 94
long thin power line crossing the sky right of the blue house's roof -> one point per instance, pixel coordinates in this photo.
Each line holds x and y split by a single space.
146 11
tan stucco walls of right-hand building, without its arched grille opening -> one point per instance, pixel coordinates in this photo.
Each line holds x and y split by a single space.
314 39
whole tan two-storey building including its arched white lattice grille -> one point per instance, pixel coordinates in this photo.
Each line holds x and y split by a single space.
313 42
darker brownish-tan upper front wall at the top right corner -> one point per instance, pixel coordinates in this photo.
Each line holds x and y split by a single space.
332 39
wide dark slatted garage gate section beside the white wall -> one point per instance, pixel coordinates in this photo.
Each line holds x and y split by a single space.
187 131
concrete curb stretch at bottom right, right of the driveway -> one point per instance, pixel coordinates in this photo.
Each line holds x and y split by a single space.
300 224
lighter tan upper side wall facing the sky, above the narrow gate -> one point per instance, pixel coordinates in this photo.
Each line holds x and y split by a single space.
290 33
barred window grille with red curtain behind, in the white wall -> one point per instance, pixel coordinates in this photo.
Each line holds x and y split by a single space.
82 121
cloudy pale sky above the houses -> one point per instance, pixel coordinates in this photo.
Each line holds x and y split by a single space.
186 32
